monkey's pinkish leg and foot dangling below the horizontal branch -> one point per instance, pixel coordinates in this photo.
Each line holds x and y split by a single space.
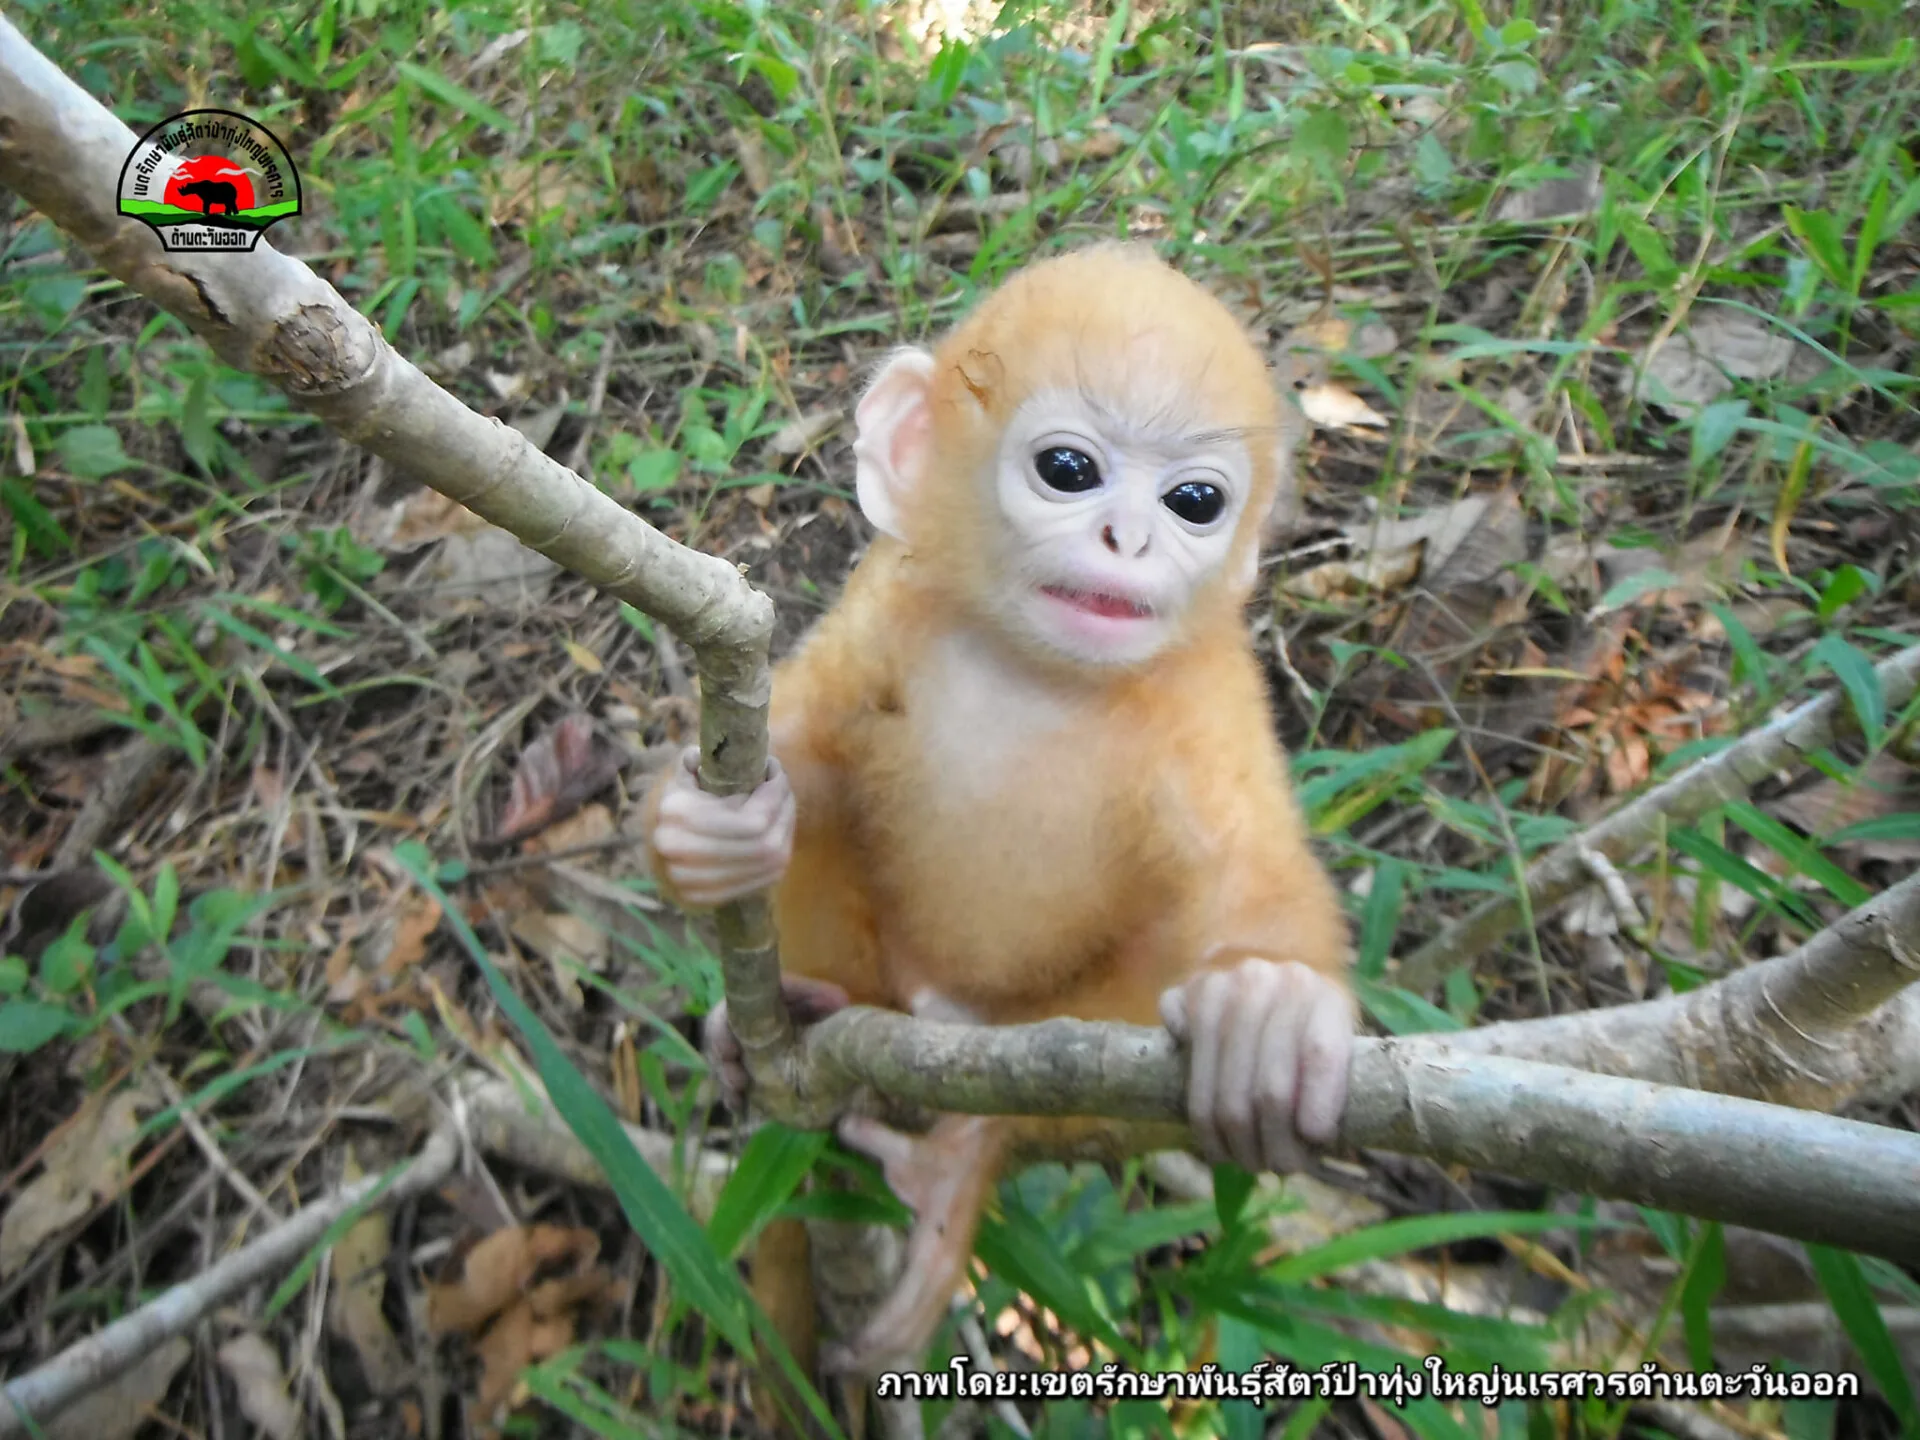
944 1178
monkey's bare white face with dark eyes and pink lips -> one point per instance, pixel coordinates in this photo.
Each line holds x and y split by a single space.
1113 523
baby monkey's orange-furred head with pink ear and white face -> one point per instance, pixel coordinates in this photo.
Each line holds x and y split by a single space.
1086 462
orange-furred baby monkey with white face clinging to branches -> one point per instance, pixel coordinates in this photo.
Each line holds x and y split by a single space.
1026 765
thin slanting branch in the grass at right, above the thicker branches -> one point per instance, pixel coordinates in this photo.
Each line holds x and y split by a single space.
1719 779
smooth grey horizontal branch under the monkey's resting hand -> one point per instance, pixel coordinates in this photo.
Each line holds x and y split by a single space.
1792 1172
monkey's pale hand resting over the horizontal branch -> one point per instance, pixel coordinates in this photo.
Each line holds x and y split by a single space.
1268 1051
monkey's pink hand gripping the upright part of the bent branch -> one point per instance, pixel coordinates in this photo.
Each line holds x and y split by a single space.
719 850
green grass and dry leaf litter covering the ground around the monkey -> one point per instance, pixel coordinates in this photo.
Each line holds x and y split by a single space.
1604 316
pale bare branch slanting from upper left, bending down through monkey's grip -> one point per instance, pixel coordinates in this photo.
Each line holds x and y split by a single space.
270 314
